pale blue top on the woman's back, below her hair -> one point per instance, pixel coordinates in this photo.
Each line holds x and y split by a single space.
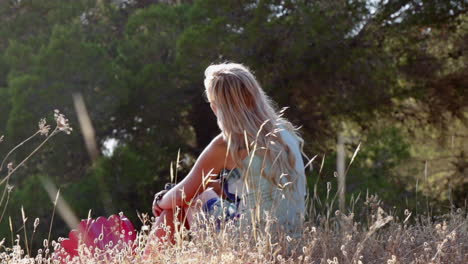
265 204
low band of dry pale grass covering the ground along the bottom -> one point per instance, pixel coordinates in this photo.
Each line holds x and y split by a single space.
339 239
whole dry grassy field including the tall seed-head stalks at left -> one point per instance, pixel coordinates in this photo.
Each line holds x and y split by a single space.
364 233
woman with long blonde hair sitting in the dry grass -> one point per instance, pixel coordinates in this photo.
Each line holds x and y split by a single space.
256 142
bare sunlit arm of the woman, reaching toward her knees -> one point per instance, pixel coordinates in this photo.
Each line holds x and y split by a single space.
208 165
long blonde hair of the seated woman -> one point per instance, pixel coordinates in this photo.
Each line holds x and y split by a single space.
248 120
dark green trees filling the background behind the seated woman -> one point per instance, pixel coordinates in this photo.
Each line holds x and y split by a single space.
392 75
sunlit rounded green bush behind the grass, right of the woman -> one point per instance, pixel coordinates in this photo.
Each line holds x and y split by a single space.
374 170
